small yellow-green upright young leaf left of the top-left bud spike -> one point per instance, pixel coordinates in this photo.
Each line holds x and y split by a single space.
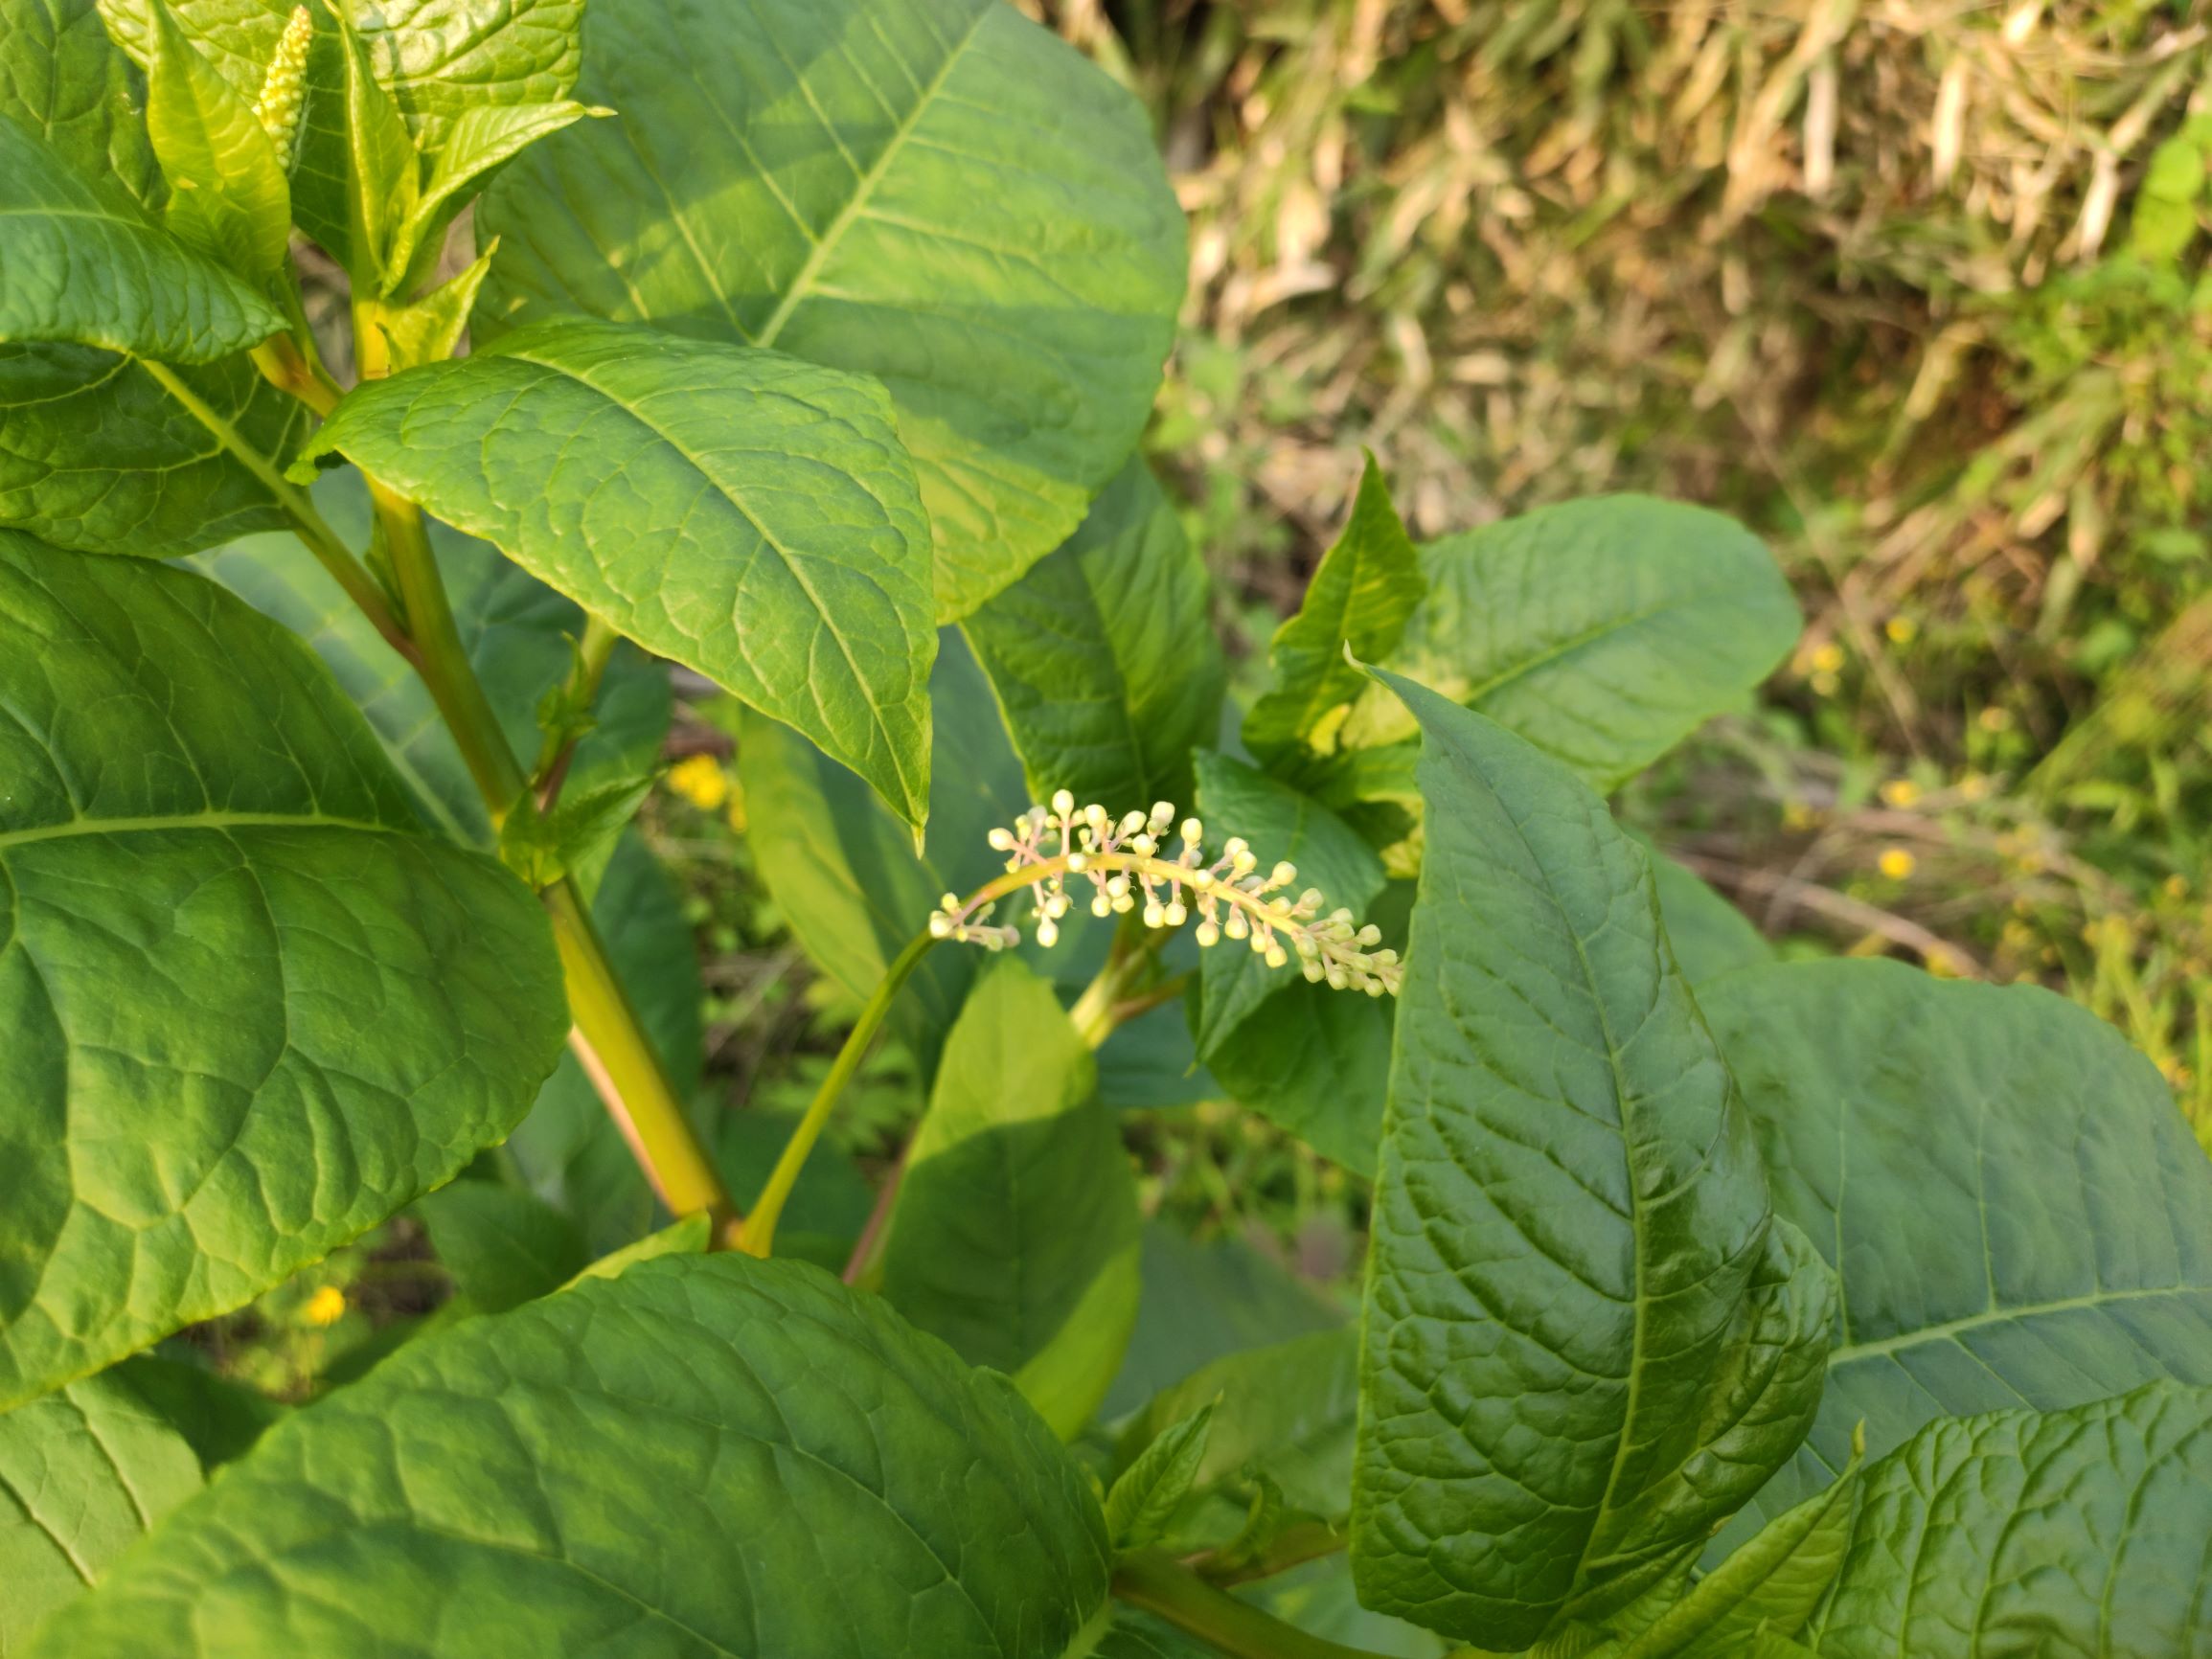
229 191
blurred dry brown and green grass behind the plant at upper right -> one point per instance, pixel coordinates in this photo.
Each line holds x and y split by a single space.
1914 289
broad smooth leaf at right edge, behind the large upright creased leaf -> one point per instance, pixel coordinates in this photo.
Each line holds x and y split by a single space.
2014 1207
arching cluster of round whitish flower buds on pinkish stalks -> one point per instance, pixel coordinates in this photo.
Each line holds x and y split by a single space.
1129 868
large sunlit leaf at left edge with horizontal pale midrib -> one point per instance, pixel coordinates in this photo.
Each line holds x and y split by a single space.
251 1012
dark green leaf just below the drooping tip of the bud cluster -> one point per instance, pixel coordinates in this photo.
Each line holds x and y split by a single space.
1317 1063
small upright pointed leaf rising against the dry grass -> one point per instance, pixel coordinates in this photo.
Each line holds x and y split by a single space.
1361 596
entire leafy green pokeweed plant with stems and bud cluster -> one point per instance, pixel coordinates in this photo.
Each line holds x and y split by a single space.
1713 1304
